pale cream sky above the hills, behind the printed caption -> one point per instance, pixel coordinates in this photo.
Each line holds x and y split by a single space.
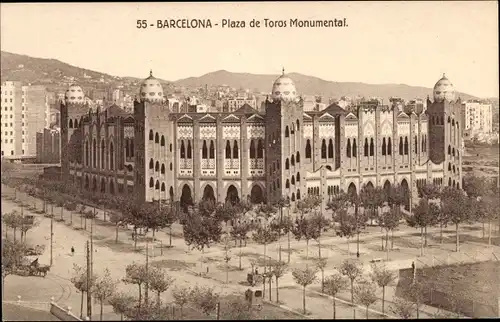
411 43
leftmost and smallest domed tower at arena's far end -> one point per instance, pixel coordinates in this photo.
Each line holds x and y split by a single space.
72 108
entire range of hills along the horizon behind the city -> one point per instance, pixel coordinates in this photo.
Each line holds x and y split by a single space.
51 71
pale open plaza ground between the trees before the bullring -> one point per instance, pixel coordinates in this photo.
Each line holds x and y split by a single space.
186 265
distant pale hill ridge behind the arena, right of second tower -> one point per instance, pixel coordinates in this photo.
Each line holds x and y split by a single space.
310 85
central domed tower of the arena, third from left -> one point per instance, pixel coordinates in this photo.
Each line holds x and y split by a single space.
284 115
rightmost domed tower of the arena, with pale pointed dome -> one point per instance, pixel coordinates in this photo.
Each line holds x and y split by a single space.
445 131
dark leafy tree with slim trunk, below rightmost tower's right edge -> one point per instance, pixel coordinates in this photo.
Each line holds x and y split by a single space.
457 208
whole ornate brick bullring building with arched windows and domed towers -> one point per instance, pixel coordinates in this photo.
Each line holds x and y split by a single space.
158 154
